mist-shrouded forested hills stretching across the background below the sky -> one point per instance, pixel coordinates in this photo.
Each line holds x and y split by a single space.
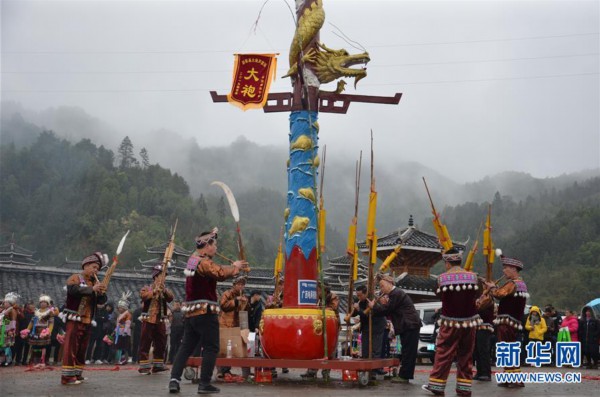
64 198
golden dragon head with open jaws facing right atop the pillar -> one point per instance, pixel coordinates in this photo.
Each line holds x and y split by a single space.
334 64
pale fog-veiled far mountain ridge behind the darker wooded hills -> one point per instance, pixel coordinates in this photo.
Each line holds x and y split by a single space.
246 166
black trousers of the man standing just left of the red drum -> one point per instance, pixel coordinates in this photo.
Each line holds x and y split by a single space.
200 330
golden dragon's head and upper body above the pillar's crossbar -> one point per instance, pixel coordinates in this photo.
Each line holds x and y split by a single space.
328 64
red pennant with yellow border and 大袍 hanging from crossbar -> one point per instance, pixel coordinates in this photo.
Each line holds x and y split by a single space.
252 76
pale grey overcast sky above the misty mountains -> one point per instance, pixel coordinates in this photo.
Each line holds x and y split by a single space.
487 86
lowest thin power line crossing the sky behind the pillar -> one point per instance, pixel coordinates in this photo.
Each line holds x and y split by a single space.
366 85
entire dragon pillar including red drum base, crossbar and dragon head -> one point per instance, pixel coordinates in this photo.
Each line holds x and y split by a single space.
302 328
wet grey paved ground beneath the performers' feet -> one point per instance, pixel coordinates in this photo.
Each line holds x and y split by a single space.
106 381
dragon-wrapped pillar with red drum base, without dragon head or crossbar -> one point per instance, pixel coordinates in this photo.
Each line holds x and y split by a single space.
297 330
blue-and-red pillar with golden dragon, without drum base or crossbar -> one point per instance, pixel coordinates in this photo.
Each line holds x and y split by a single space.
311 64
